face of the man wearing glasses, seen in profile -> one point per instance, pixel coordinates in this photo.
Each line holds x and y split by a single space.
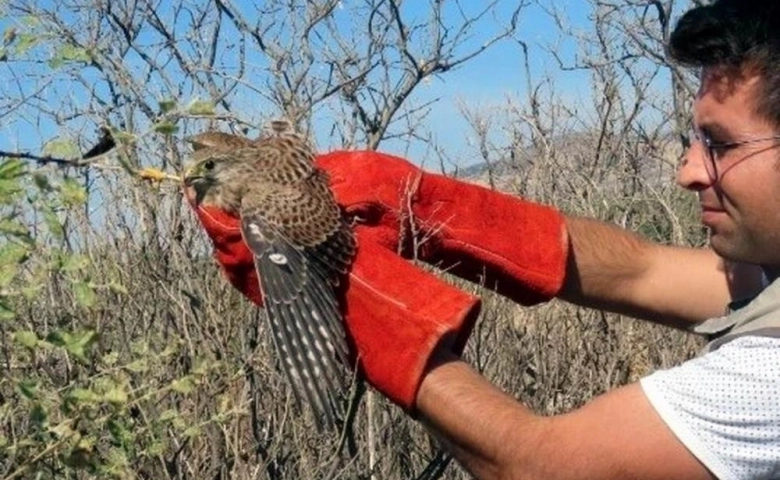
742 206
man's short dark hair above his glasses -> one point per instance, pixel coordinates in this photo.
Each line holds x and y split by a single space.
734 34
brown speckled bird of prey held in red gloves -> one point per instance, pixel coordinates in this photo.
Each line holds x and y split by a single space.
301 243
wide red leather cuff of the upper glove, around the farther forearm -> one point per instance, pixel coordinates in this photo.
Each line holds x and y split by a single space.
515 247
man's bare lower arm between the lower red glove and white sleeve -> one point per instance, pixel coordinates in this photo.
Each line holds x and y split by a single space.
618 435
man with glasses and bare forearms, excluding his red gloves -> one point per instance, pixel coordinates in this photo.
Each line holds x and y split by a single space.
717 416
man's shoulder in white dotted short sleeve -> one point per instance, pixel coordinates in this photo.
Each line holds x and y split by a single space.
723 406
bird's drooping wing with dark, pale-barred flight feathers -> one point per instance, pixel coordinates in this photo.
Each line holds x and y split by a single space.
302 307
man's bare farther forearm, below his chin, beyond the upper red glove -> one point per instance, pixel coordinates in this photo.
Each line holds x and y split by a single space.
613 269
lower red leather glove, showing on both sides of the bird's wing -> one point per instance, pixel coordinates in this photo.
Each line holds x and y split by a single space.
395 313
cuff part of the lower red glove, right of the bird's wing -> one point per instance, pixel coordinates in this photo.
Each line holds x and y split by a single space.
397 314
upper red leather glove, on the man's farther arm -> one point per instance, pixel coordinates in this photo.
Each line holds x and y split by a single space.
510 245
